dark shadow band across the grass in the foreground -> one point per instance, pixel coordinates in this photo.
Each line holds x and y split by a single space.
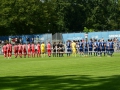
65 82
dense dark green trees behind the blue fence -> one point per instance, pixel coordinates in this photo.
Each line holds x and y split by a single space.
51 16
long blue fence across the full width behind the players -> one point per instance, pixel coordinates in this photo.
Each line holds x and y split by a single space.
64 36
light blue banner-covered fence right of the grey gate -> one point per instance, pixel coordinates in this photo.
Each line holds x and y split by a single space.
96 35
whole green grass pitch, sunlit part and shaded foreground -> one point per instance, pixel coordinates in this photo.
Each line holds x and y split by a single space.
63 73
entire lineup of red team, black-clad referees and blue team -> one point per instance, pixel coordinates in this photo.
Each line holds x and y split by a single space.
58 49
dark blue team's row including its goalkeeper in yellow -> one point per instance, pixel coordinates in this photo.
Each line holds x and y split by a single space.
93 46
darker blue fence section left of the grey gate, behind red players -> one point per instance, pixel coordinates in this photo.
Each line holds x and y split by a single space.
28 38
